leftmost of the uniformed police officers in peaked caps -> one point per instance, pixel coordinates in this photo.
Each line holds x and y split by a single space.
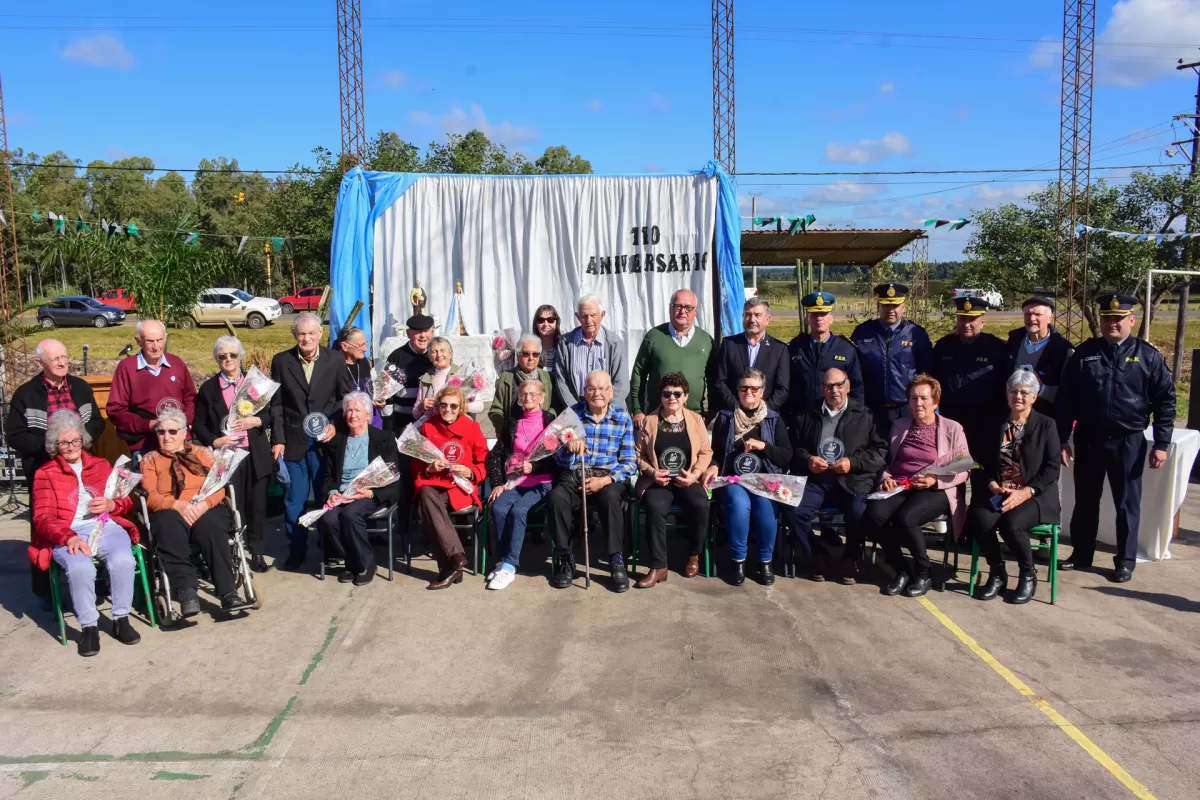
815 353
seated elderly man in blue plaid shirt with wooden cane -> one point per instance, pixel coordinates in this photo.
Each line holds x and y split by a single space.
611 462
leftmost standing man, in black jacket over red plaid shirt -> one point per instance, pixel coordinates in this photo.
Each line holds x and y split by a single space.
45 394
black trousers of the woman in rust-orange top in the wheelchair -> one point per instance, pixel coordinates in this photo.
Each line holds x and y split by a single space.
211 534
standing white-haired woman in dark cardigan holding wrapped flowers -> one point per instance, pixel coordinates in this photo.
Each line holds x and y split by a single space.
250 480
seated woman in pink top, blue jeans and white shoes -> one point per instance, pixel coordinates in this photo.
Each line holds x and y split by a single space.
519 437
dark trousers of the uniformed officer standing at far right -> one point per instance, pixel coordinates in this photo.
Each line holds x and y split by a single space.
1123 461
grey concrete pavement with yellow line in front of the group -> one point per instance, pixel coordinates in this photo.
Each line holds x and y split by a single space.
693 689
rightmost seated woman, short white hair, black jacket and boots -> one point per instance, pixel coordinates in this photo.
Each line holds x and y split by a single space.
1017 489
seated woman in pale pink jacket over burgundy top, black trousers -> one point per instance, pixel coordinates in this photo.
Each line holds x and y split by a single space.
917 444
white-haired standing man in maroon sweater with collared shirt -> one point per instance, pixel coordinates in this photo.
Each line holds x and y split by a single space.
143 382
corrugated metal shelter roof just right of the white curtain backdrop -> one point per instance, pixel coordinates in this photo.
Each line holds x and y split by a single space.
832 248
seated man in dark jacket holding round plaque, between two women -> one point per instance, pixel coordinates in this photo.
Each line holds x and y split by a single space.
838 448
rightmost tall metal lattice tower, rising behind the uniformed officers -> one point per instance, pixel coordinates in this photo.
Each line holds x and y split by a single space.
1075 166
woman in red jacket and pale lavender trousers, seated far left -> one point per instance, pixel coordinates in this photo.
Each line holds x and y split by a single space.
69 506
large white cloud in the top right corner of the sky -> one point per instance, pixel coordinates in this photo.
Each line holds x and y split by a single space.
1145 22
